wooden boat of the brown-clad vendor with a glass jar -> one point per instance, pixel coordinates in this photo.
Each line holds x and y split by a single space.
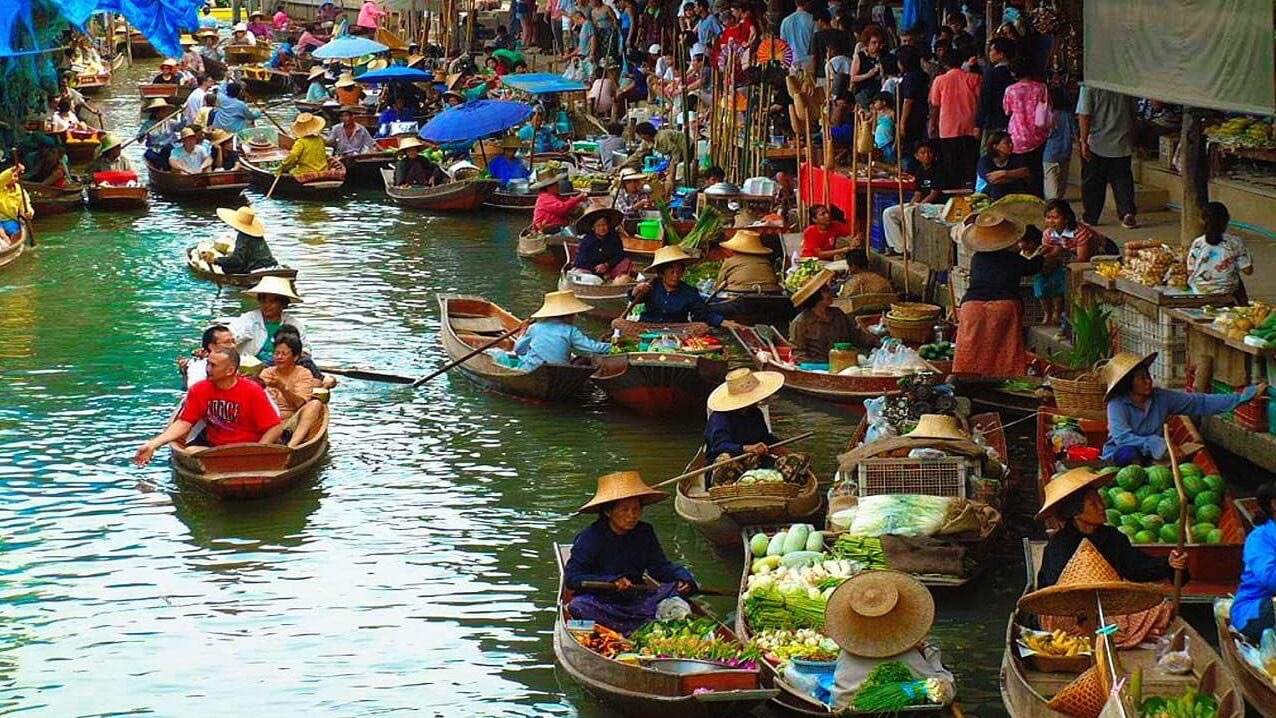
838 388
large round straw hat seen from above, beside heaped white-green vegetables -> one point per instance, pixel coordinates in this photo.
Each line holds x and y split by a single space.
880 614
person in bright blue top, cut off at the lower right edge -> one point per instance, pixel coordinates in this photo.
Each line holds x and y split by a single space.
1252 608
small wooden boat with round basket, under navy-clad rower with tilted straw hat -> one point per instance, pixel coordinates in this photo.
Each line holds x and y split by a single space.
720 521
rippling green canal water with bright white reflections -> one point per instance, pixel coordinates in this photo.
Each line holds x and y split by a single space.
414 575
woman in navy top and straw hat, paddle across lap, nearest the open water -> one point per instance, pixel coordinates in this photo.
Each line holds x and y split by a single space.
621 549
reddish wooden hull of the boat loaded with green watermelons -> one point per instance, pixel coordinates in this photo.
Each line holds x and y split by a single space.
1214 568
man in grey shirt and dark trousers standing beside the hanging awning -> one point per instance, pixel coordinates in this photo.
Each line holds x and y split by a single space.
1107 122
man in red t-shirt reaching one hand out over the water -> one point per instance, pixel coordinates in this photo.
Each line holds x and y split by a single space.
235 410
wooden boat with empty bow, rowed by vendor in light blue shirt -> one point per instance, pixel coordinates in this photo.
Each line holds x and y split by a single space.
471 322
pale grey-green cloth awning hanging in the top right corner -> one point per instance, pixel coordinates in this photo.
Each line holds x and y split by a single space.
1215 54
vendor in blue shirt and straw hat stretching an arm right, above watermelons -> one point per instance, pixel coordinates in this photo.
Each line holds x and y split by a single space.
1138 410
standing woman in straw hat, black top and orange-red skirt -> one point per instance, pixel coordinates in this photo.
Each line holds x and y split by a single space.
991 328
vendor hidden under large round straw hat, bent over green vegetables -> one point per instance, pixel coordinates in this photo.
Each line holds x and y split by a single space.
881 617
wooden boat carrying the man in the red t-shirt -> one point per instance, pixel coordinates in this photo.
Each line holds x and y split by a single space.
251 471
